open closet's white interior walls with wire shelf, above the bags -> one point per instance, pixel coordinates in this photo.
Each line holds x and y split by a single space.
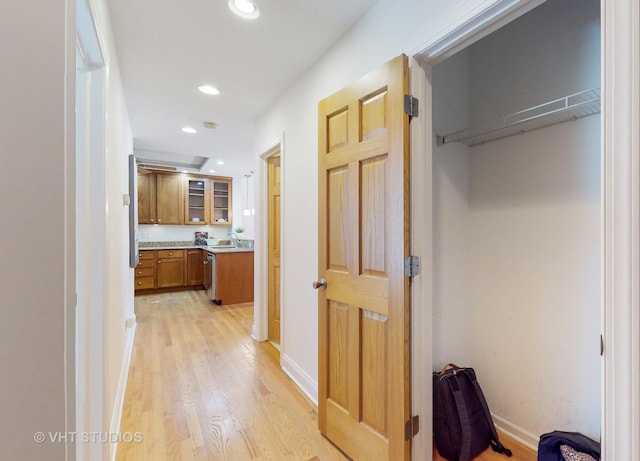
517 214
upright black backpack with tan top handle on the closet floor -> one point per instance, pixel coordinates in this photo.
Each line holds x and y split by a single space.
462 425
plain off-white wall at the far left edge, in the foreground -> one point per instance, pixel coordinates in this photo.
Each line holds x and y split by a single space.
36 128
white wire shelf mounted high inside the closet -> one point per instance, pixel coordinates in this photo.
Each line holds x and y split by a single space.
571 107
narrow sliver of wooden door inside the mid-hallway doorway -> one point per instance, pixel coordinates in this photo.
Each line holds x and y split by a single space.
274 247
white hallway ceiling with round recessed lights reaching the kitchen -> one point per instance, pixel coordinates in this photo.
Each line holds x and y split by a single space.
167 48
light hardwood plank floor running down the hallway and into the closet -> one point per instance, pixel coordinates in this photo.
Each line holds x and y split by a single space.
201 389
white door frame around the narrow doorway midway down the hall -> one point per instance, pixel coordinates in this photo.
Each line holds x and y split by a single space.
259 331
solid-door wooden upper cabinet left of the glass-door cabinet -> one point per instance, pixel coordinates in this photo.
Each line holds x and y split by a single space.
160 198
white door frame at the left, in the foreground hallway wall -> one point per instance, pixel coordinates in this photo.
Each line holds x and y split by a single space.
90 224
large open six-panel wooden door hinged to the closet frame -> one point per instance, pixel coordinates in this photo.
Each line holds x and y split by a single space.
364 341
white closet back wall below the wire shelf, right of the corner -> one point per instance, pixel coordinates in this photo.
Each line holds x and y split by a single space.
535 286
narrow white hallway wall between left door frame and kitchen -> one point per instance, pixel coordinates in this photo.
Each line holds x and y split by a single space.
119 302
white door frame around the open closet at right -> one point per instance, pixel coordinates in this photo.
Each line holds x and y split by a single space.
620 24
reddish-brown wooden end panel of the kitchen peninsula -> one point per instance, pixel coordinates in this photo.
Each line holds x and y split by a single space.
234 277
